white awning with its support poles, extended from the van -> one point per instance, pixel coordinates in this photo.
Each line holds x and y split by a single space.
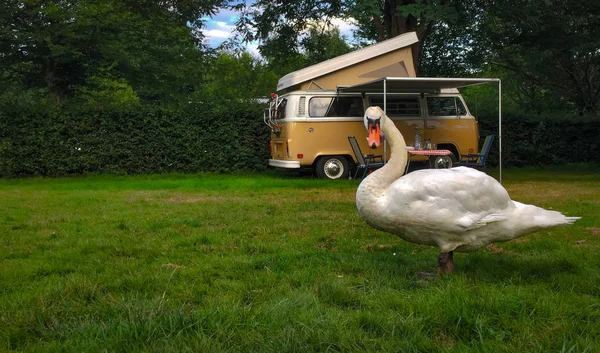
387 85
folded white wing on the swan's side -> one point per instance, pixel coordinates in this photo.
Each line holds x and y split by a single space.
452 200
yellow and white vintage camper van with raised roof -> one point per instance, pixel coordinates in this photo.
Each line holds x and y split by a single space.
317 108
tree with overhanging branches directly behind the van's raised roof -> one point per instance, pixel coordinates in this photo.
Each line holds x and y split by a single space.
377 20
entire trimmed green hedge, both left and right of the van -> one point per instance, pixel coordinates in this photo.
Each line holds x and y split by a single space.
224 137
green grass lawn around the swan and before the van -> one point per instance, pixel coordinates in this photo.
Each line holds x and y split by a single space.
264 263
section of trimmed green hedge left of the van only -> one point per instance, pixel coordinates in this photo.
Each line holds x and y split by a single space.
151 140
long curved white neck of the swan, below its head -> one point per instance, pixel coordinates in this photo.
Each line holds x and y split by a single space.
396 166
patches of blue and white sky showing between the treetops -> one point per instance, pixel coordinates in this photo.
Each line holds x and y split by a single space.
220 27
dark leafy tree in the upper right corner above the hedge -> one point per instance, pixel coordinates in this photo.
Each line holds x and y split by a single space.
553 45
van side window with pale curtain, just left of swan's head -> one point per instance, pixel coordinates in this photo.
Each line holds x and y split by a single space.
320 107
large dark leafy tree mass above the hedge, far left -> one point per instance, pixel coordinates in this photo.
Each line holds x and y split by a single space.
102 51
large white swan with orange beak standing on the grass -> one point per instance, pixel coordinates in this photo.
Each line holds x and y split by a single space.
458 209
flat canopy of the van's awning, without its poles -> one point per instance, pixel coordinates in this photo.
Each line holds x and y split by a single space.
413 84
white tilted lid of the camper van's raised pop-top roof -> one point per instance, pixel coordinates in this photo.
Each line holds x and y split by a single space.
342 61
